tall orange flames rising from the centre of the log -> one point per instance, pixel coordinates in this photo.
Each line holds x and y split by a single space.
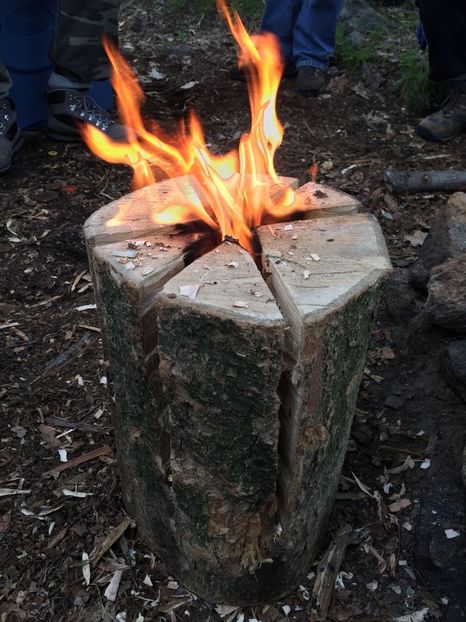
236 187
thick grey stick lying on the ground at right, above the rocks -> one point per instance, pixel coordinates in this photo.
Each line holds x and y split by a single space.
425 181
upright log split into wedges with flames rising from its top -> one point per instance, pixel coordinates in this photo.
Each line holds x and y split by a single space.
235 382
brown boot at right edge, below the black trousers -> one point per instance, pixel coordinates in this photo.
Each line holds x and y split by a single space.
447 122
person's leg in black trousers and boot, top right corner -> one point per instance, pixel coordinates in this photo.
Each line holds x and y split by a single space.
444 29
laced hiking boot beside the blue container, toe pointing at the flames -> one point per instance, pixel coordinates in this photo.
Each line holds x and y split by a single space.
71 109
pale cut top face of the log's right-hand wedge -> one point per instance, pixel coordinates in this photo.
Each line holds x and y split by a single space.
329 260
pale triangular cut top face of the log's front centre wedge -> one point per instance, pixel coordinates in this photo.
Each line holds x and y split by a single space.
226 281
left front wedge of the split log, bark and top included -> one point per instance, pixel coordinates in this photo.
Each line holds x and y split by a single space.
127 276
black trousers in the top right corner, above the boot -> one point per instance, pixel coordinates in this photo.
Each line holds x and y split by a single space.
444 24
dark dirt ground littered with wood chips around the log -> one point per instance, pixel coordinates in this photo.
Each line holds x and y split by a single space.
409 430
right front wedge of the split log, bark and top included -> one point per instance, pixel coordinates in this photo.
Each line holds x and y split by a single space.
326 276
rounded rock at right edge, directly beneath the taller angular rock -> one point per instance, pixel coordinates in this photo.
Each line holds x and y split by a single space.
446 302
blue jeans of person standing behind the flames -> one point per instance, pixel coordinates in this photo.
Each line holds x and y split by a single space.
306 29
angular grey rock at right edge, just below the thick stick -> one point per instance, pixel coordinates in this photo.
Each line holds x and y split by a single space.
447 238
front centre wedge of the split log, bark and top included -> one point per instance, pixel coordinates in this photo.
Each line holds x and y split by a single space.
221 340
